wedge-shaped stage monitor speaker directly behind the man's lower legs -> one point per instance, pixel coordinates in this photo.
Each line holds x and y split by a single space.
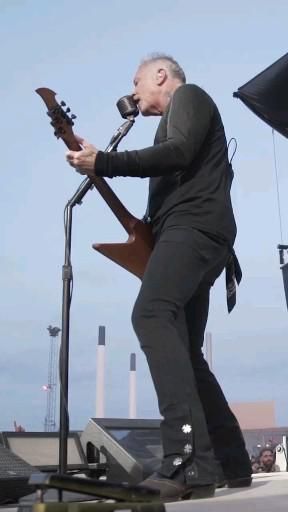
130 448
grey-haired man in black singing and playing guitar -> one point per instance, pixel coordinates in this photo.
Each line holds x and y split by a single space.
190 211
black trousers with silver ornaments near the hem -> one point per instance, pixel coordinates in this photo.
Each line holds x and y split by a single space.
169 318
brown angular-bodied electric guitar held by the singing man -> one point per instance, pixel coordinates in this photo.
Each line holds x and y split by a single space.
132 255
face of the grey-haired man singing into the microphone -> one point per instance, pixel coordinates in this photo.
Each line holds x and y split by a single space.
146 90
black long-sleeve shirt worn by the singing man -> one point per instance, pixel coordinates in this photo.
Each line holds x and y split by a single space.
190 175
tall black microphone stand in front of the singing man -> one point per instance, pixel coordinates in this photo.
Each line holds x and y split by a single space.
67 278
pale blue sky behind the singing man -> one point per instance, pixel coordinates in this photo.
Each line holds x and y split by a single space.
88 52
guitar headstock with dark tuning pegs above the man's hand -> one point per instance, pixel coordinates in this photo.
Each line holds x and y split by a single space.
61 120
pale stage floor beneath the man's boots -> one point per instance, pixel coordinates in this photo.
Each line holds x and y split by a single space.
268 493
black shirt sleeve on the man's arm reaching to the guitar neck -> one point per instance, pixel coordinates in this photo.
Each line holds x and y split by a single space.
188 123
